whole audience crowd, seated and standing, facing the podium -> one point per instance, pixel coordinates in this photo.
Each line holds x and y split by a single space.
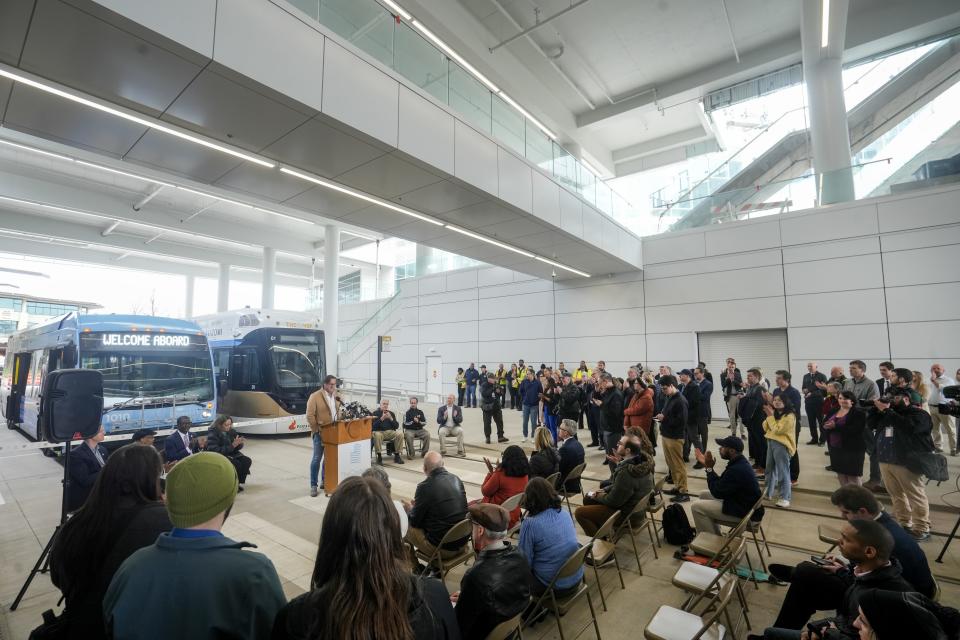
146 538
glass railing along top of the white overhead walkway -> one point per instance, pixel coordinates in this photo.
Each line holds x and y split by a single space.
373 29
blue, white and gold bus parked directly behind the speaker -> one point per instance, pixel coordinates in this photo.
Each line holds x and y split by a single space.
267 364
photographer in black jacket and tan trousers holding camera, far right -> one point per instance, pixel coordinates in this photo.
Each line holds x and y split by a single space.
902 443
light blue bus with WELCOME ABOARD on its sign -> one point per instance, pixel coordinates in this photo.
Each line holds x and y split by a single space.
154 370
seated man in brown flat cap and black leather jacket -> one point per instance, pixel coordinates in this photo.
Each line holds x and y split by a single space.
493 590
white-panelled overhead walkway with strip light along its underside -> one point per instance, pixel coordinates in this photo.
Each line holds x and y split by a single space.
257 98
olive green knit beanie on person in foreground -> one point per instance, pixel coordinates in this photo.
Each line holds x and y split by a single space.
199 487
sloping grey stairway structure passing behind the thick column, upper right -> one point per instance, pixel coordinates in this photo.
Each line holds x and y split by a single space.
789 158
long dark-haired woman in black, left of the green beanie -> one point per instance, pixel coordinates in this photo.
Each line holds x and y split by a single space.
125 512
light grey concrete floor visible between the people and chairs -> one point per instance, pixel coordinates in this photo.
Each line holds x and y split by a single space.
276 513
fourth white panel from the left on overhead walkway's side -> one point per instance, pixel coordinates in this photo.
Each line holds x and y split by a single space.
425 131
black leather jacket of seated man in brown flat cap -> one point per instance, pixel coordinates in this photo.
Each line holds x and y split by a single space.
492 590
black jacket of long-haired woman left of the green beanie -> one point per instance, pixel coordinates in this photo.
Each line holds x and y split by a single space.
133 527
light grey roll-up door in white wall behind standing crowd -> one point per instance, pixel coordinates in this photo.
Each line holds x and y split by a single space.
766 349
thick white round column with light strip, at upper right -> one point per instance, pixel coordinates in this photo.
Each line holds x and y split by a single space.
822 74
